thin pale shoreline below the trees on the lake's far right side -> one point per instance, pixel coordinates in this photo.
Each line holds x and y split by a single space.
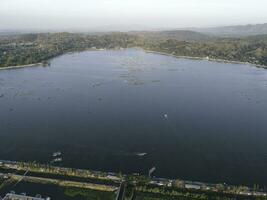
207 59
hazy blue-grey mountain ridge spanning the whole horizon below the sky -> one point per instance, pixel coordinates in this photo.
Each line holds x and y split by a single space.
181 34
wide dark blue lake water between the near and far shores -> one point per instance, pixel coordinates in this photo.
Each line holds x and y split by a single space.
129 111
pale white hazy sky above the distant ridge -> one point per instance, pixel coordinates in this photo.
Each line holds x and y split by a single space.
128 14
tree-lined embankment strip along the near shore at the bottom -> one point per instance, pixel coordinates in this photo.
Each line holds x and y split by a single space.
22 171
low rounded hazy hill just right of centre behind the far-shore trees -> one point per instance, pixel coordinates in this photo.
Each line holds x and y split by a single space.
180 35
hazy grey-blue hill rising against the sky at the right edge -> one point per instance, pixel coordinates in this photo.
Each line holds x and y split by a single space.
235 31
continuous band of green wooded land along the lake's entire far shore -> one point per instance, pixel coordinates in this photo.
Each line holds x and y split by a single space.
36 48
